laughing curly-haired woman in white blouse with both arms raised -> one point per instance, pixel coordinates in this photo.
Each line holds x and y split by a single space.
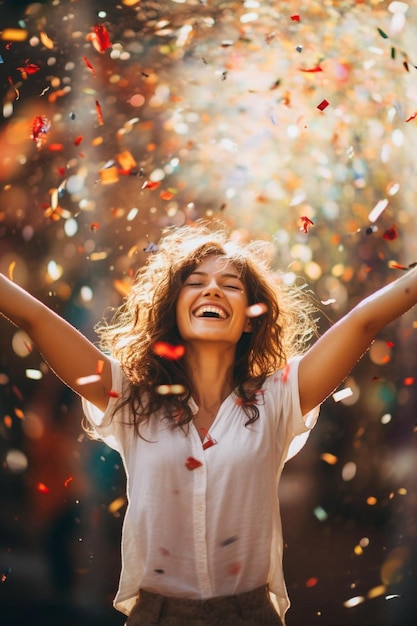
205 387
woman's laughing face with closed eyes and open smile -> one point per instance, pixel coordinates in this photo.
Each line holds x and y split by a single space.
212 305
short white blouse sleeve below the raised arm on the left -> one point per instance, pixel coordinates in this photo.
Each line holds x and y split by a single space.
107 425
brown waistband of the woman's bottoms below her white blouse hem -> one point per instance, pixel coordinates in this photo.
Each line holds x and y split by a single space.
243 603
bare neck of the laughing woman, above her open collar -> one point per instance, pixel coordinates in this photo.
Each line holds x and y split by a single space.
211 374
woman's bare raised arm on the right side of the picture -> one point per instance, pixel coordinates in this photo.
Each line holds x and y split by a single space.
331 358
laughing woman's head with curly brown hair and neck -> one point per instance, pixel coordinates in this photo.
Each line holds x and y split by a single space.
199 266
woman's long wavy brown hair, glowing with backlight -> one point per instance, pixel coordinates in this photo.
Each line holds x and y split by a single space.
148 316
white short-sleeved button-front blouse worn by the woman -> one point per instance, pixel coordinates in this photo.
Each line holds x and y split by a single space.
203 519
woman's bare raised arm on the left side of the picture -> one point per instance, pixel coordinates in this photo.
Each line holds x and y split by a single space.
68 353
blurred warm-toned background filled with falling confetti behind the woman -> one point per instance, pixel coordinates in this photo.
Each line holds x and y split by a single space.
293 122
